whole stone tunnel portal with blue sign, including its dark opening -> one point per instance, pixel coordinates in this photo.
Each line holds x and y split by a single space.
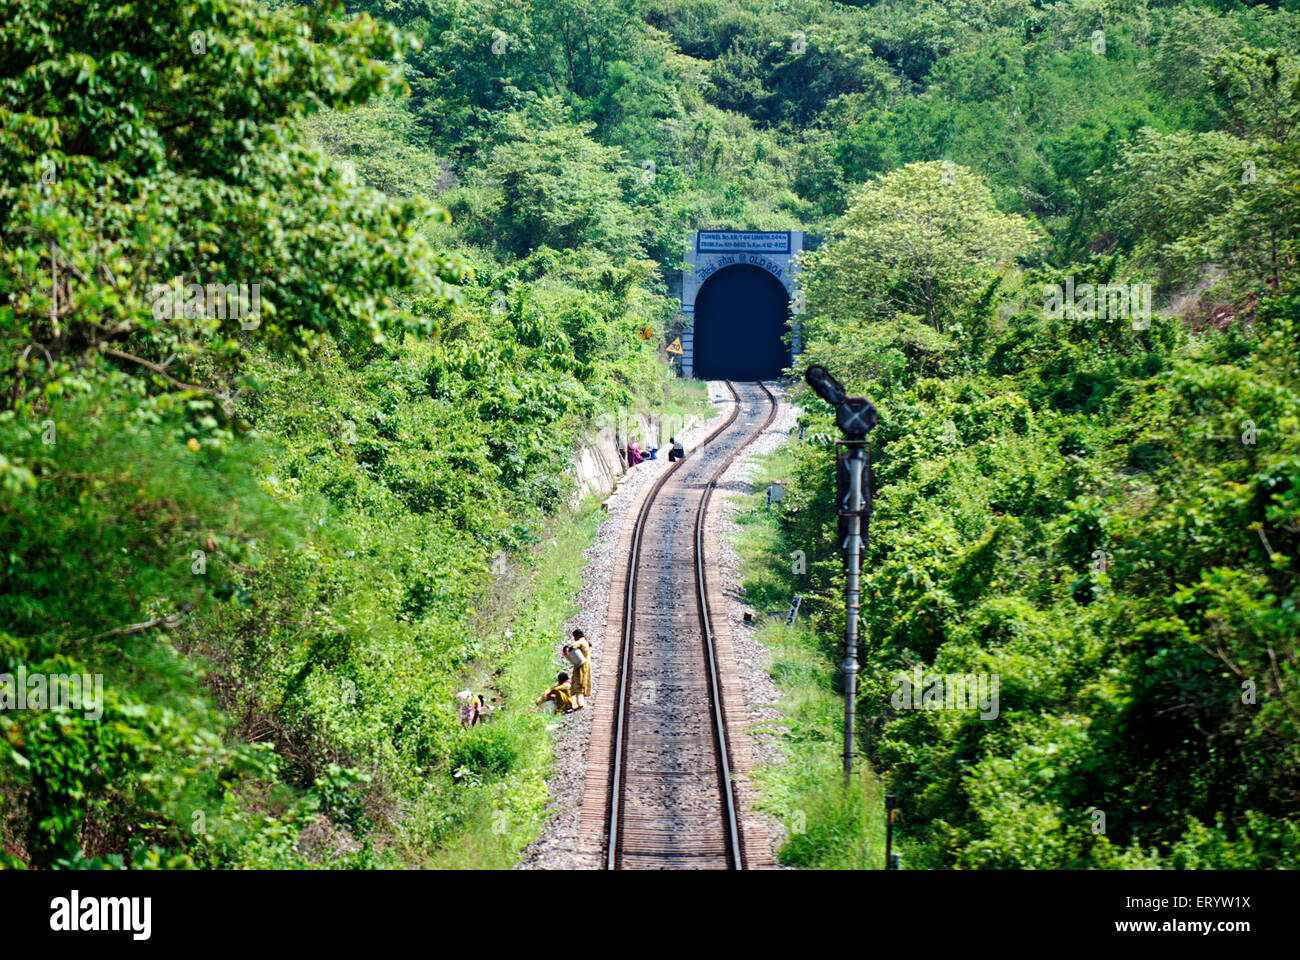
726 282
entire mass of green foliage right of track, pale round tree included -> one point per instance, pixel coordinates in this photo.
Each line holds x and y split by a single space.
1099 512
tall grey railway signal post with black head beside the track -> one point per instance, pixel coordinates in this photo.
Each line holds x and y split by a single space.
855 417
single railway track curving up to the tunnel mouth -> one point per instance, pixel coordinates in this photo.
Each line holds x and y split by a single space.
671 799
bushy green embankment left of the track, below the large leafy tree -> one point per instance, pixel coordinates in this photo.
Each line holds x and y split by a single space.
335 581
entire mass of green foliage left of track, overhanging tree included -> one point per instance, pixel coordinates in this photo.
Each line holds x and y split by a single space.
270 522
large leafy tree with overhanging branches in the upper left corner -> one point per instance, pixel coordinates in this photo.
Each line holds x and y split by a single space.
201 180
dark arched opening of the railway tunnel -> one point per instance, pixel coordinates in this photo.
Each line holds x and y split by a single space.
740 322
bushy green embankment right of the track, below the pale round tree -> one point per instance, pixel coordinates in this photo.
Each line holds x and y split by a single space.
1103 521
